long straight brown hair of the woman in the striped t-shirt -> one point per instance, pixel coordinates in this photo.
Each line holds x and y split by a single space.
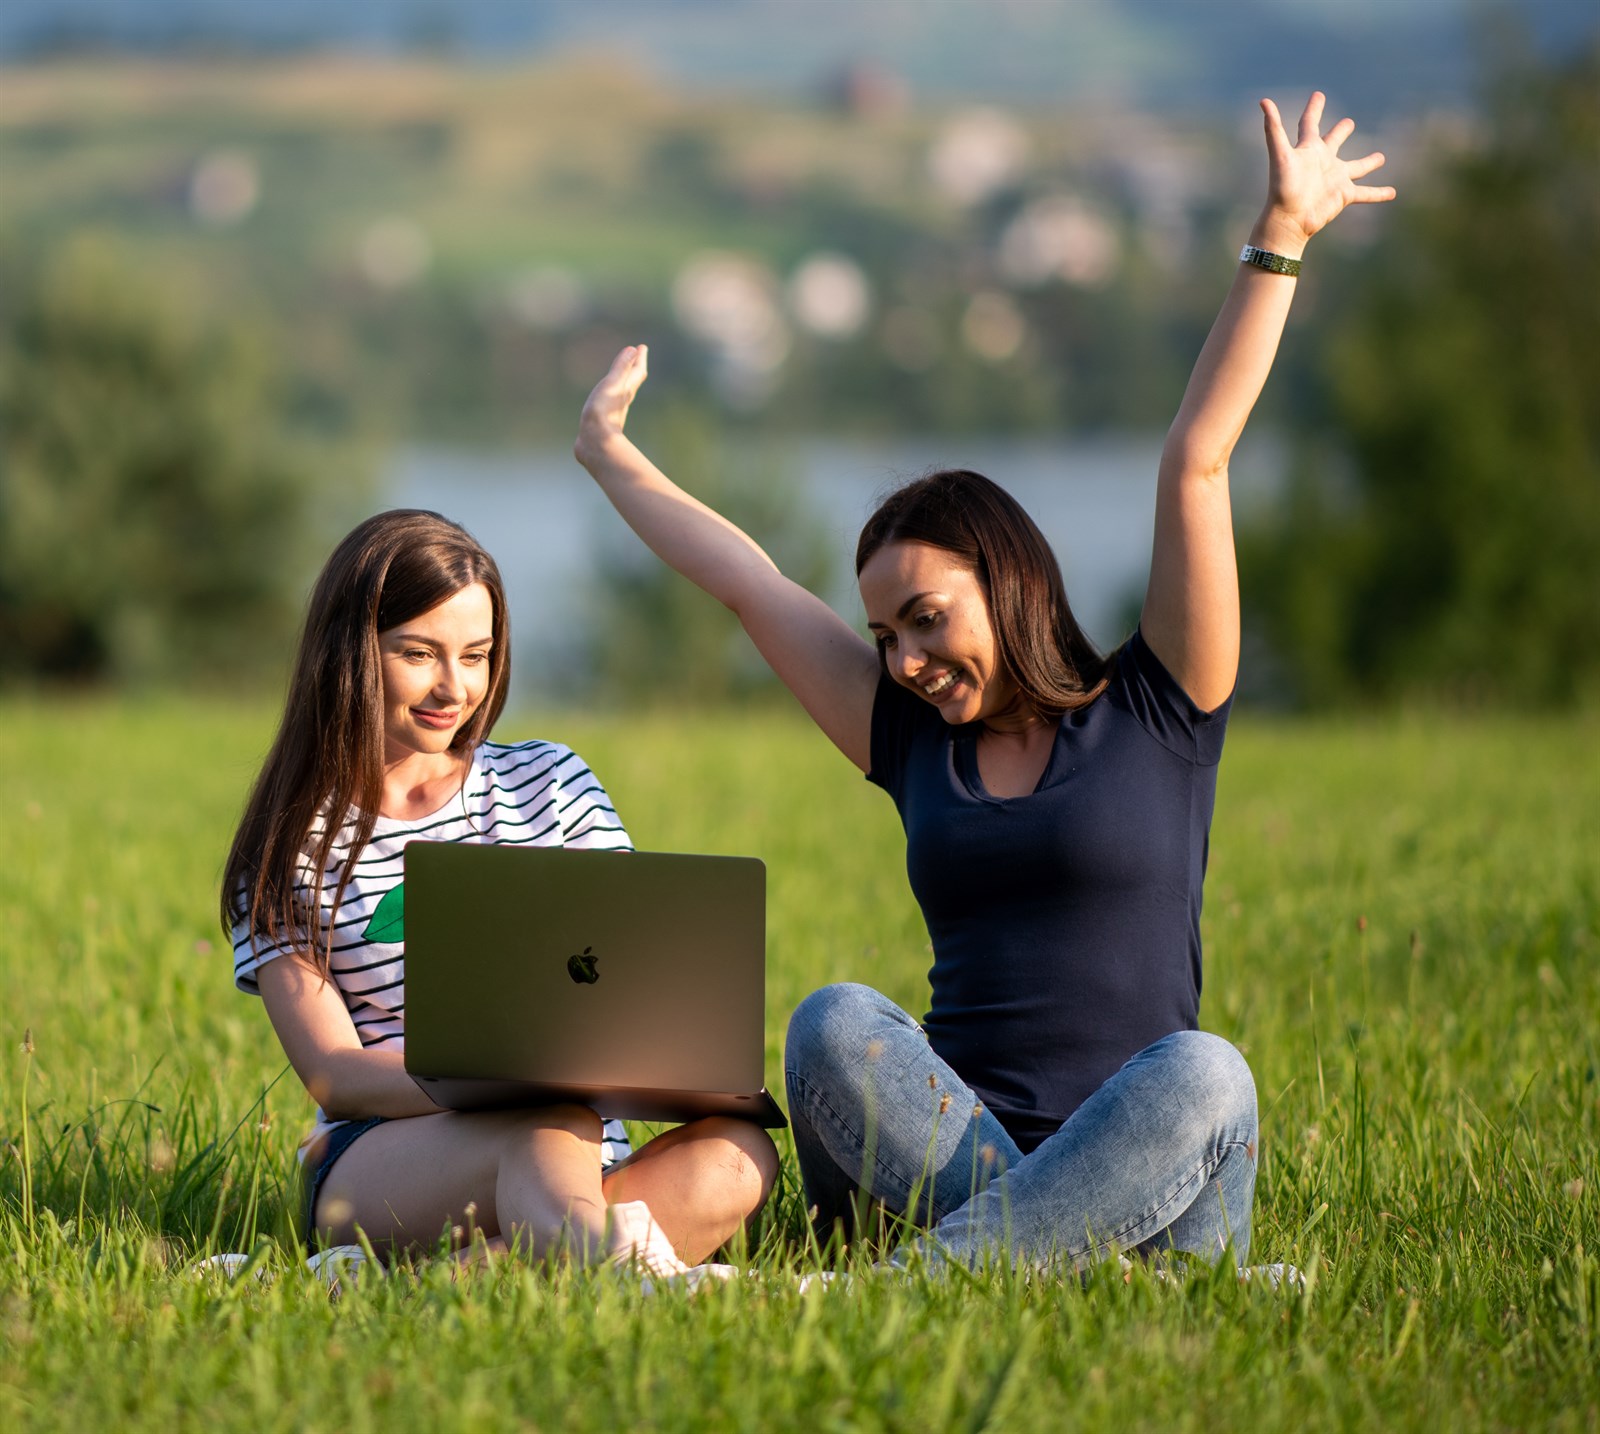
327 761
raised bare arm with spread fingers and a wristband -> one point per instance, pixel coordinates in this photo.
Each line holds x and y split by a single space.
1191 607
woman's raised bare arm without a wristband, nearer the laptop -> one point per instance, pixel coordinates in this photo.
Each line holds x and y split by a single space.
820 659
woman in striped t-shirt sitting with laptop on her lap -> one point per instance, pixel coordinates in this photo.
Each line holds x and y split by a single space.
399 681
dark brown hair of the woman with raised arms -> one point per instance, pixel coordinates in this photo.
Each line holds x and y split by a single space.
1042 646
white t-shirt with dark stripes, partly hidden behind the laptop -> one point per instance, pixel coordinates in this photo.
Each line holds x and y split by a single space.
524 795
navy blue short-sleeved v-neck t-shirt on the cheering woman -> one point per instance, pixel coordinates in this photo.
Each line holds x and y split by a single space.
1066 924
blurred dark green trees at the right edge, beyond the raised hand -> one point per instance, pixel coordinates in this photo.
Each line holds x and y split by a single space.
1458 551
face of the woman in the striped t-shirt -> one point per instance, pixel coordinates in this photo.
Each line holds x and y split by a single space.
436 673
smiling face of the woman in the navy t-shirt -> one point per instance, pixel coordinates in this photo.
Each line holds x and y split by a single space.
930 617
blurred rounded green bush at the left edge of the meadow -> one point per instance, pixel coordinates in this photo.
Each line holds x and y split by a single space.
153 505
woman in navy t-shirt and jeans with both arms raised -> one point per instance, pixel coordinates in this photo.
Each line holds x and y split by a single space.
1060 1100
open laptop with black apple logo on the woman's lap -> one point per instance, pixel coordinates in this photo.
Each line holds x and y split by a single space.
630 982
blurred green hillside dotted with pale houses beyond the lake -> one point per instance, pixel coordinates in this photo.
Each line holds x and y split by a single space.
458 252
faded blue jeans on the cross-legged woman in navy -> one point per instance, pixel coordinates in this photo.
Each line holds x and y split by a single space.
1161 1158
